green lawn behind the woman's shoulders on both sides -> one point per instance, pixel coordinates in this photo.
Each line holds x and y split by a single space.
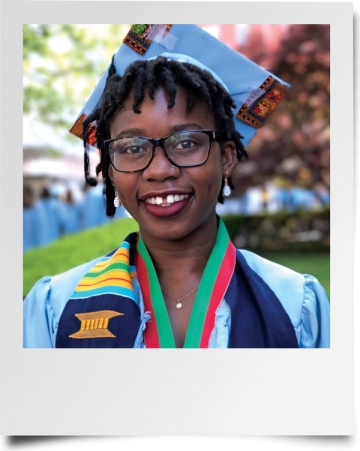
75 249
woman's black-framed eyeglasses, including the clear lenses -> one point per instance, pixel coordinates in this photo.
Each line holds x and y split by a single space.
184 149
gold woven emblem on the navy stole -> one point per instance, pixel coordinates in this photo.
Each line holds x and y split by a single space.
95 324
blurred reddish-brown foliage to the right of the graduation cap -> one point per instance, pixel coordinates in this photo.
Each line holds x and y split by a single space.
293 149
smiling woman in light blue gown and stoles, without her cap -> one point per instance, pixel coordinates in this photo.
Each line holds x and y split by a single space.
168 143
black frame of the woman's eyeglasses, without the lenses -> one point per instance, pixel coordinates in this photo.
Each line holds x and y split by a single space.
159 142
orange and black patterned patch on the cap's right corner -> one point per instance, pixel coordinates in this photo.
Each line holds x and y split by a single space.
262 102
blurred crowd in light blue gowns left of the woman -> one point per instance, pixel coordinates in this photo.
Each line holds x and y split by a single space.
59 211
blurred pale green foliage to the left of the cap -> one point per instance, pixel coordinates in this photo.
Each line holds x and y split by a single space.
61 64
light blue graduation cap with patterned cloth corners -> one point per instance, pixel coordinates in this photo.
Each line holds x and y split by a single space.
255 91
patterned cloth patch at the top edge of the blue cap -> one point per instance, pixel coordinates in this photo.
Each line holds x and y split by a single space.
140 36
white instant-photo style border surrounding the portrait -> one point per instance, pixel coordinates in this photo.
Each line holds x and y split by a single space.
182 392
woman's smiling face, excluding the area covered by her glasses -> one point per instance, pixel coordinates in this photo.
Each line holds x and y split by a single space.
193 191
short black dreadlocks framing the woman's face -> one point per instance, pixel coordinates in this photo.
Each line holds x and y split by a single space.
145 78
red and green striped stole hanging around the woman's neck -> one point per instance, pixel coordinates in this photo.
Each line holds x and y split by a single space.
213 285
